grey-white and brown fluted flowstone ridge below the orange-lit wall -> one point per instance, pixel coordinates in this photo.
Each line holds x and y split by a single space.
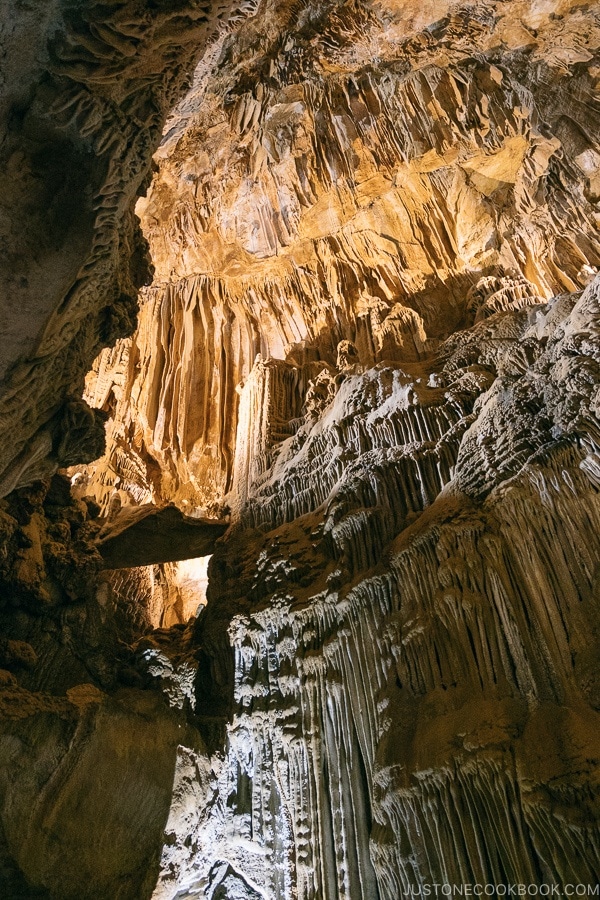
415 695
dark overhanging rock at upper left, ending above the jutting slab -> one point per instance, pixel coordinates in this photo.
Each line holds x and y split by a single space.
85 91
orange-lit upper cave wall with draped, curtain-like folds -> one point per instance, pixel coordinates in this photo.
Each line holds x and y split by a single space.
359 173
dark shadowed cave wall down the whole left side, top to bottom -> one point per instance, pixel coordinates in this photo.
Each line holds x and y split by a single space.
88 755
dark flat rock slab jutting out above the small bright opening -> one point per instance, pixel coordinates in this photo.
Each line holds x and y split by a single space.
145 536
